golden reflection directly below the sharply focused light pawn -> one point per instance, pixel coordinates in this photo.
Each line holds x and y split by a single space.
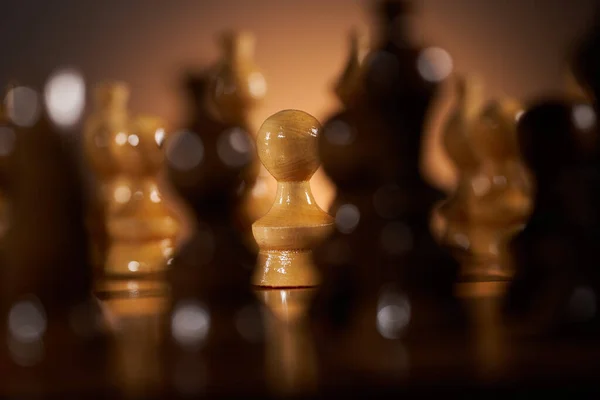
290 353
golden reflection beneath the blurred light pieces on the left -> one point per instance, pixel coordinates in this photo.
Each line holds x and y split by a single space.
135 310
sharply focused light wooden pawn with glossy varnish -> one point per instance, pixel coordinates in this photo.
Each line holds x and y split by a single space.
287 147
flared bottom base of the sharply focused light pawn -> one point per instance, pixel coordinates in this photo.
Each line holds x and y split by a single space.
285 269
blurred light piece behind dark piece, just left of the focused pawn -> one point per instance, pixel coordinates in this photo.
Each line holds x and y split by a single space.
235 88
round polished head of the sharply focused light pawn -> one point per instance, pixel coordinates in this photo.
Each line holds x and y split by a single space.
287 145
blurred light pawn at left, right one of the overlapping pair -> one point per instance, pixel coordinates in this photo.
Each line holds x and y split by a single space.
141 226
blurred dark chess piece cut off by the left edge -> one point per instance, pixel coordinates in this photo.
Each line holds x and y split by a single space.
54 339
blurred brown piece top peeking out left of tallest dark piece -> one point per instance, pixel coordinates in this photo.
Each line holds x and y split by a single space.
349 82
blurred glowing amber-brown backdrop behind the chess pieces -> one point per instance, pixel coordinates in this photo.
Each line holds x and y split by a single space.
517 46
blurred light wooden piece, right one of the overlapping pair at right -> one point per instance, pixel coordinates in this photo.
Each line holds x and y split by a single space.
502 189
